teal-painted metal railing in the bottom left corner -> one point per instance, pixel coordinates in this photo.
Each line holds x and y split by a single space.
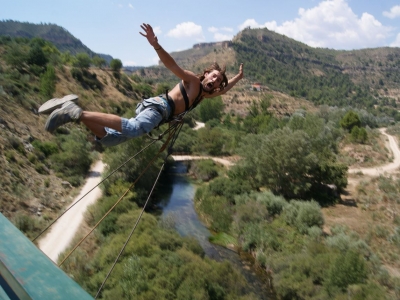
27 273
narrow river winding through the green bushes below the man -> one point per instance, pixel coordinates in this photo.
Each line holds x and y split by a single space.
177 201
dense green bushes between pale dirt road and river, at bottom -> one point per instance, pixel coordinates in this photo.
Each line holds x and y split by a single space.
159 264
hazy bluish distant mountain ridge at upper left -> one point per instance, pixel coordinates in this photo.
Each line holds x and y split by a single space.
59 36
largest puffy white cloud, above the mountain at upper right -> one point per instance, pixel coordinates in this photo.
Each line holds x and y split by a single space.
331 24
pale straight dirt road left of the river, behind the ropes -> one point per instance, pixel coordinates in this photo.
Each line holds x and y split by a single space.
62 232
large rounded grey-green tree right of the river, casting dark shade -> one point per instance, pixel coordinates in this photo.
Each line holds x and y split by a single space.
288 163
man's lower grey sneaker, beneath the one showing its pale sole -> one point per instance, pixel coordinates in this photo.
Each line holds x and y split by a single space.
69 112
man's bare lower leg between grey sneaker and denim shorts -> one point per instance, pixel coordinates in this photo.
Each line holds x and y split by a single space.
96 122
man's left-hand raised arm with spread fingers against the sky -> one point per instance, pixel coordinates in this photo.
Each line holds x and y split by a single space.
164 56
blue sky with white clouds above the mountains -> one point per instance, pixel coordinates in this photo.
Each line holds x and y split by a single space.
112 26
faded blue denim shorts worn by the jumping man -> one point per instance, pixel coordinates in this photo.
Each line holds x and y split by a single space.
149 114
